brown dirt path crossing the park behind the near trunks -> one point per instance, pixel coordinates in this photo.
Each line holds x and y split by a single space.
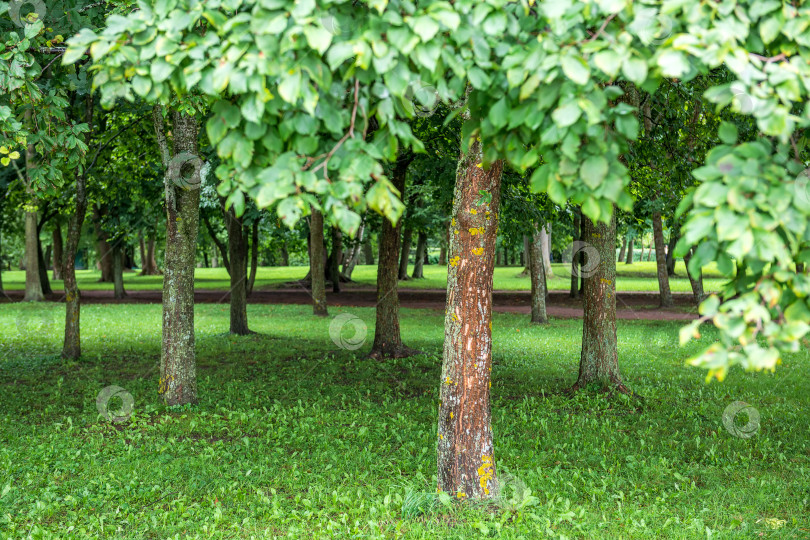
630 305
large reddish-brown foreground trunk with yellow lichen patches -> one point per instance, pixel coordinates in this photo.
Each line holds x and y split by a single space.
466 464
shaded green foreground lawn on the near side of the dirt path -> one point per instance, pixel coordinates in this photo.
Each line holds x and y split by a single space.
294 436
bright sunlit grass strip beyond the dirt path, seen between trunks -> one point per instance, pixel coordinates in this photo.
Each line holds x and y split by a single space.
639 276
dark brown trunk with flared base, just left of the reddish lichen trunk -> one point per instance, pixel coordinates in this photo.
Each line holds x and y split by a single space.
387 339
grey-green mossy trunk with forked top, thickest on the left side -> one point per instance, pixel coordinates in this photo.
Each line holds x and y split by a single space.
178 368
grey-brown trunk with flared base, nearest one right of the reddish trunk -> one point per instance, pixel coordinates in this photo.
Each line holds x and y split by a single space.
599 361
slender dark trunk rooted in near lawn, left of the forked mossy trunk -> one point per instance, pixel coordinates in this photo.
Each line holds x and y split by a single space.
71 348
